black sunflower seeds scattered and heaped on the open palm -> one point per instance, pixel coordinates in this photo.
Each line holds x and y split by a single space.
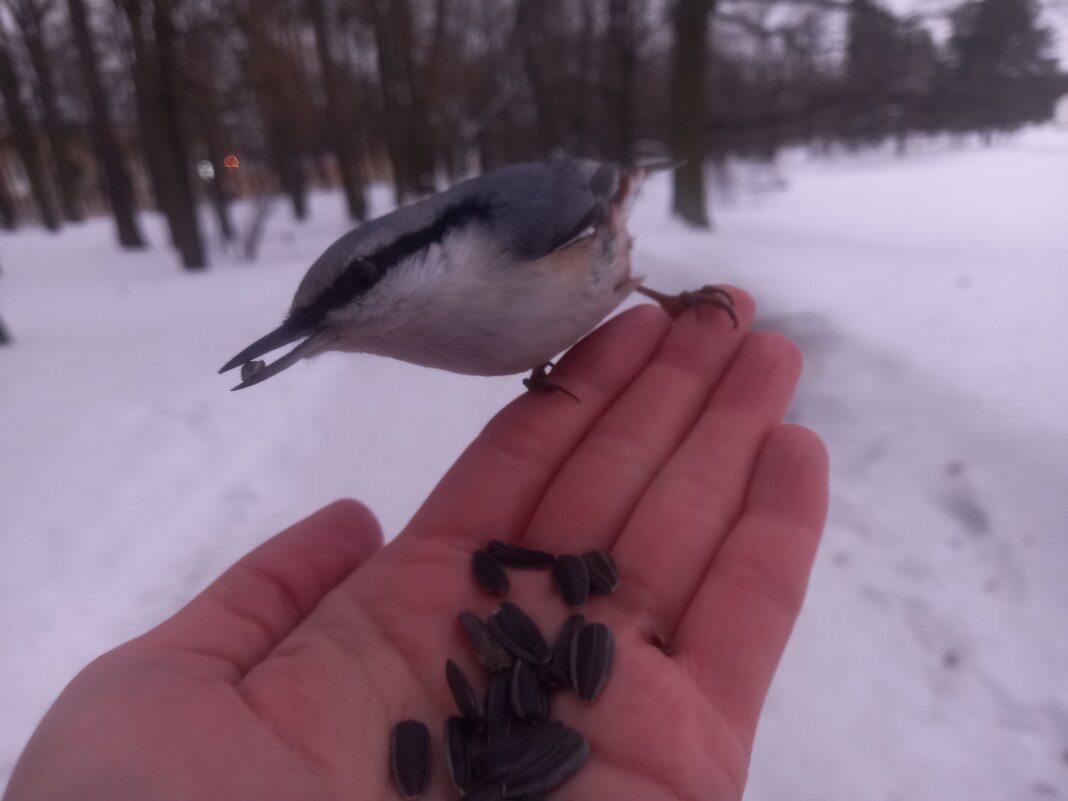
505 746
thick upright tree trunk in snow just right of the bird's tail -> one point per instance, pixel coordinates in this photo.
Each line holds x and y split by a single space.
688 107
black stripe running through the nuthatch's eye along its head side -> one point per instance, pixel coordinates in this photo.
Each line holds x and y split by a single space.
365 273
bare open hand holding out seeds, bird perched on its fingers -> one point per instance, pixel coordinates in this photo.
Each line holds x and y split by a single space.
284 680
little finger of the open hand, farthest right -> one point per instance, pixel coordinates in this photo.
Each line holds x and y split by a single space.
735 632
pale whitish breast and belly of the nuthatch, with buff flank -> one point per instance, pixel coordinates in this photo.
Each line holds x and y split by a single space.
470 308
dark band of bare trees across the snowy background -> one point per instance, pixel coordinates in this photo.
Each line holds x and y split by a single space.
121 106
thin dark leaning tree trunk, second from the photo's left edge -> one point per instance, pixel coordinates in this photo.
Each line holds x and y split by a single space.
30 17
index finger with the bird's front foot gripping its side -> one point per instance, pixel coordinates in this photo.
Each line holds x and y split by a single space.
495 486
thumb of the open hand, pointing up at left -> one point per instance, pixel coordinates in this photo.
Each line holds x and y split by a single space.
237 621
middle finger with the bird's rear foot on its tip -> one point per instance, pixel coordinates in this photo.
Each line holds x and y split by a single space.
595 492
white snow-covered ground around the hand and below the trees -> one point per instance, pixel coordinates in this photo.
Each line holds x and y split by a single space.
929 294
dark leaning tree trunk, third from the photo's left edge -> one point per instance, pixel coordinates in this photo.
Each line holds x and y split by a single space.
120 193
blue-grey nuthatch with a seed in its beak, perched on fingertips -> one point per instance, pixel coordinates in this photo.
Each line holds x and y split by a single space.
495 276
